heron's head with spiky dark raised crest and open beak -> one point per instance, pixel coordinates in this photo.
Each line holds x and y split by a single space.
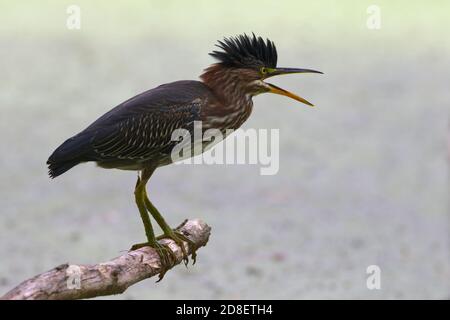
247 61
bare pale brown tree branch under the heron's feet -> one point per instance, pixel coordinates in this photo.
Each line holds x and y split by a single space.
107 278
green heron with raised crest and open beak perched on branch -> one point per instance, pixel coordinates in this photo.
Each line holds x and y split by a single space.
136 135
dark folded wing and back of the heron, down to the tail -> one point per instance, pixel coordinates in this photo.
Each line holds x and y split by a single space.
135 130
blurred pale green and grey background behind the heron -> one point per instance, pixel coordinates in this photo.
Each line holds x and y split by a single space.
363 177
